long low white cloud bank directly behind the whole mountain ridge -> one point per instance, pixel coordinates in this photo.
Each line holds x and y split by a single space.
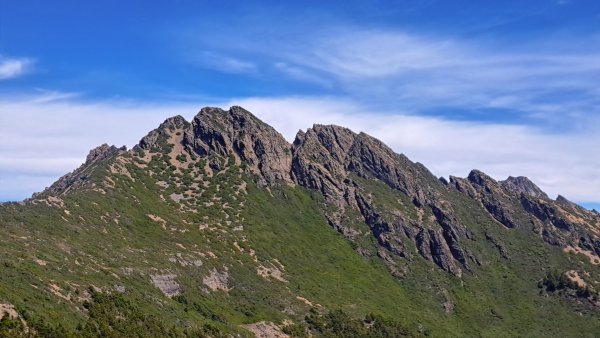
42 141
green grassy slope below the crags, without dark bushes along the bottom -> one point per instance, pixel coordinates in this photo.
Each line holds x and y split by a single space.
500 298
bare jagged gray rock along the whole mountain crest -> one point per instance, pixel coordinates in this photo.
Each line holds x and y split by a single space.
340 163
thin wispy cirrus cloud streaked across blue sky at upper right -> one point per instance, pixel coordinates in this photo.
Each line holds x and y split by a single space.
542 81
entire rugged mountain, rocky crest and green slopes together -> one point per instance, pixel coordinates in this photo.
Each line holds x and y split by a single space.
220 227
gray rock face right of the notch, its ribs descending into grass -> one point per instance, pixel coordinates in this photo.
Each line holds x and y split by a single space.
326 158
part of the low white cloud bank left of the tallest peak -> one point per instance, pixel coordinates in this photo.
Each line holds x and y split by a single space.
42 139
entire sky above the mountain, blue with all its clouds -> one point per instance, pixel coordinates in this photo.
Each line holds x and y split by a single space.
509 87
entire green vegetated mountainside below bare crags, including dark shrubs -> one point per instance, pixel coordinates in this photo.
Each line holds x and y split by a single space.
237 253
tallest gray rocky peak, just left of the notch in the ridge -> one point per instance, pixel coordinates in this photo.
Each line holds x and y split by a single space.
228 133
